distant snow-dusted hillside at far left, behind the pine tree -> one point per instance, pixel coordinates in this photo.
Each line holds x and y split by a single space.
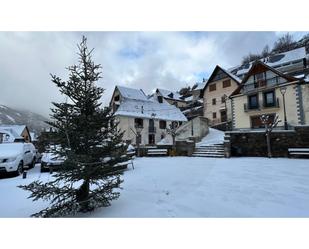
34 121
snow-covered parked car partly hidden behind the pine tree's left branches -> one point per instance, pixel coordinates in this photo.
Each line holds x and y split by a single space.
51 160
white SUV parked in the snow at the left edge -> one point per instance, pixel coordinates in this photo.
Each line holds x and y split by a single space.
15 156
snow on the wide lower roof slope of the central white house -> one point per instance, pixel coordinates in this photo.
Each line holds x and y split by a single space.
149 109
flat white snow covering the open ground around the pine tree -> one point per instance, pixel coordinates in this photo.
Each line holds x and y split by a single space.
191 187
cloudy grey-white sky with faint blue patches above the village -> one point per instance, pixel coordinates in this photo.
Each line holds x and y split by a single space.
144 60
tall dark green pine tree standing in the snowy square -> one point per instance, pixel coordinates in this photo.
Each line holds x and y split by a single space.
90 142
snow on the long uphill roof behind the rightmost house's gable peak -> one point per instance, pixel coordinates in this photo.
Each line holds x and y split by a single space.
276 60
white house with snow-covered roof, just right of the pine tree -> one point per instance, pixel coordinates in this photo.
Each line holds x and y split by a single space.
133 109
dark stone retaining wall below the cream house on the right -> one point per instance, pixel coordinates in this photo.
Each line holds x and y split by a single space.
253 143
